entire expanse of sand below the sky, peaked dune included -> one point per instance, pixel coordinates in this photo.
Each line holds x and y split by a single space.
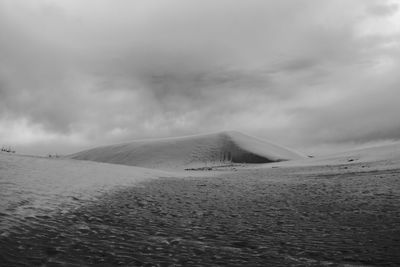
58 211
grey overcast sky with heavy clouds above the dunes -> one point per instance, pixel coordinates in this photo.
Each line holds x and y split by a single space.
313 75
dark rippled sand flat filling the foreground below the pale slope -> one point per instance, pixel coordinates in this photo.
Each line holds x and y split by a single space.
304 216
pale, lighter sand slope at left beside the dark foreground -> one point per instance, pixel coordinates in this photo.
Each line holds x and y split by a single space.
33 186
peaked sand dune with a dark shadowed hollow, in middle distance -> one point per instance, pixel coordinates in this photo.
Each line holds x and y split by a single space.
190 151
